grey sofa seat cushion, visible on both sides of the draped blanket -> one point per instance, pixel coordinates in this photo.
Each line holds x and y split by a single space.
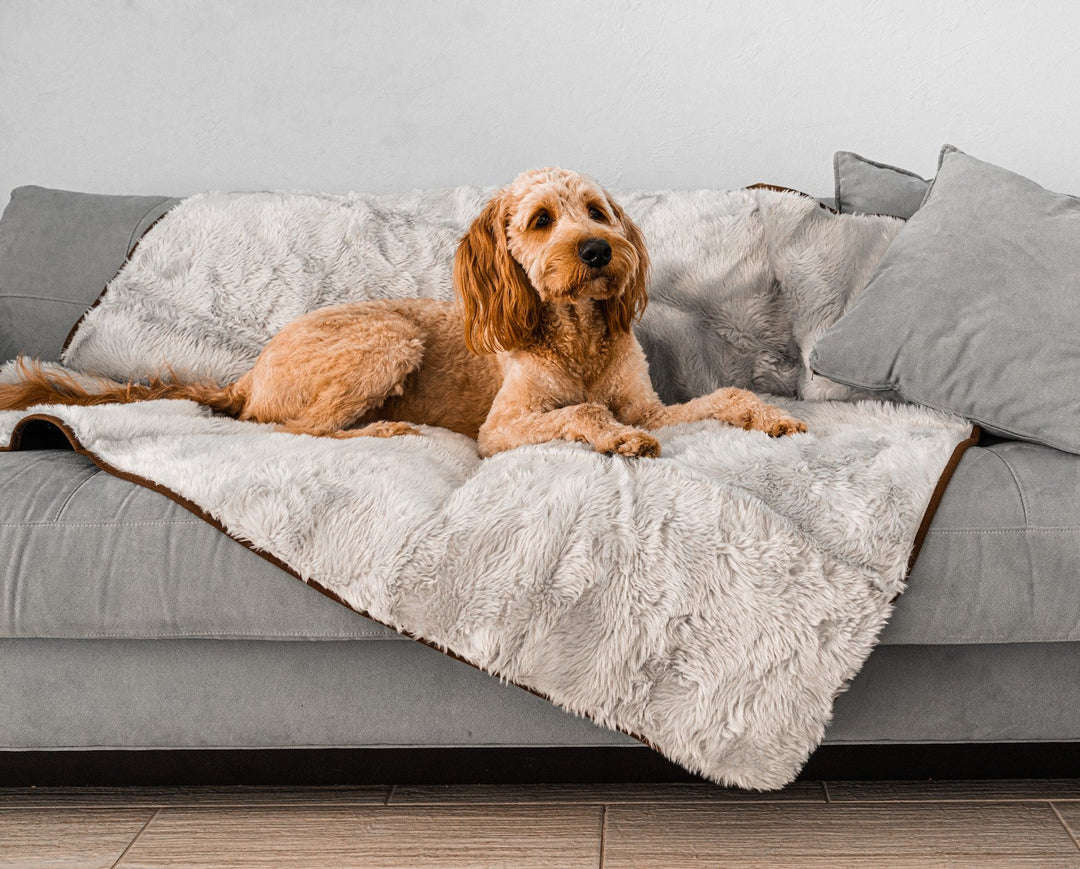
1001 563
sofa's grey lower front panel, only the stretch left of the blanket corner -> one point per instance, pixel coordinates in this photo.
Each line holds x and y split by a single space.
248 694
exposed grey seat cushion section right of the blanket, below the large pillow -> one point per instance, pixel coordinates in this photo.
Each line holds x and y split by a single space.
1002 561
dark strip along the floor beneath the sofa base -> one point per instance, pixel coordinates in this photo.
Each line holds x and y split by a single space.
508 766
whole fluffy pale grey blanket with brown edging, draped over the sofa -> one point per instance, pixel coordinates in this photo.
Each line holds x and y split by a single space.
712 602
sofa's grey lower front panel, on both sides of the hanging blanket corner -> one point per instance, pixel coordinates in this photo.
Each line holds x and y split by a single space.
228 695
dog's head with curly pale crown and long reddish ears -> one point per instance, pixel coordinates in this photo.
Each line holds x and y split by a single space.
551 238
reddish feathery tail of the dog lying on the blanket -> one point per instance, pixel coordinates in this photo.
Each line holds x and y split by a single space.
36 386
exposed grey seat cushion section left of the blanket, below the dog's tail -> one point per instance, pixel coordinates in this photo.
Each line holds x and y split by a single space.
89 555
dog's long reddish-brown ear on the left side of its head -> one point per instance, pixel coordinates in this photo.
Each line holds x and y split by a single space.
502 309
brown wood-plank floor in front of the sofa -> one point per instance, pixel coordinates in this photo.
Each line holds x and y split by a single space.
835 824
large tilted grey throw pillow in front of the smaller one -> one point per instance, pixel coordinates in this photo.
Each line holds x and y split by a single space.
975 308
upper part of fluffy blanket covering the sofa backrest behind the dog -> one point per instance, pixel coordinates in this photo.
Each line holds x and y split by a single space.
744 281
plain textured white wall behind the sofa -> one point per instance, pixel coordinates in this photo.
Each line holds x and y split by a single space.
175 97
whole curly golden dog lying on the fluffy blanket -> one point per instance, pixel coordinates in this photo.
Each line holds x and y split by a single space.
550 279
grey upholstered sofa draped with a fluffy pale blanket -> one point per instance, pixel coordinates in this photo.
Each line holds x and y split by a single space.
128 623
